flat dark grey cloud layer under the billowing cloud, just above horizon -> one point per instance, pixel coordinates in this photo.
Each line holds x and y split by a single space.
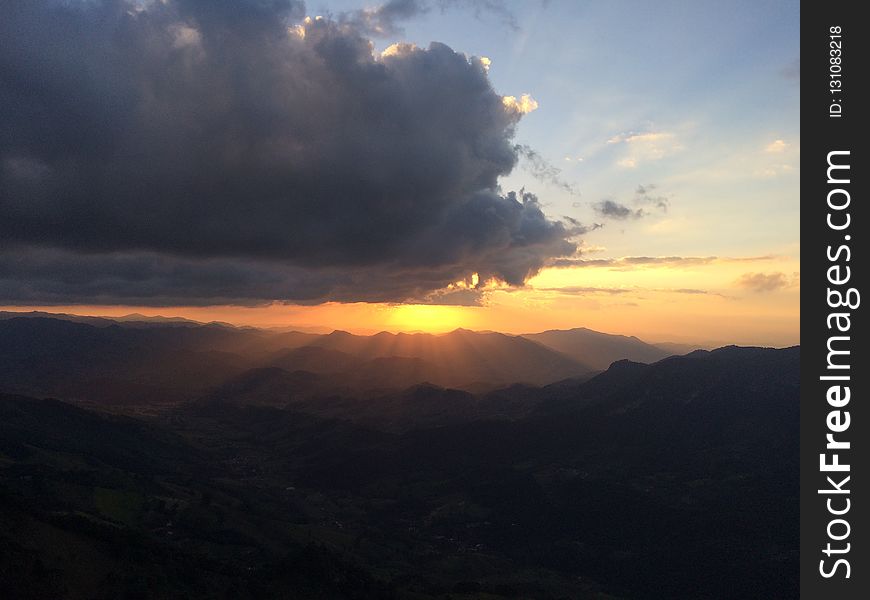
147 279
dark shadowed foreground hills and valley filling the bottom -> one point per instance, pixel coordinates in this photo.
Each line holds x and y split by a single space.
675 479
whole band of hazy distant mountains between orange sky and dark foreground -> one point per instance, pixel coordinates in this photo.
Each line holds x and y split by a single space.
152 368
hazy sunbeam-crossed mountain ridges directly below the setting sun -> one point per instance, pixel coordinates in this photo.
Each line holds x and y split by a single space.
164 363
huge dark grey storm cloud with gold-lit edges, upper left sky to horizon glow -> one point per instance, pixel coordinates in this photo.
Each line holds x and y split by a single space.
223 150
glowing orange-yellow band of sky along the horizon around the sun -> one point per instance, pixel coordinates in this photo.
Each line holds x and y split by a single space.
744 300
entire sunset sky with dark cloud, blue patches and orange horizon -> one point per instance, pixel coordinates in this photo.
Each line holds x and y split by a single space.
631 167
